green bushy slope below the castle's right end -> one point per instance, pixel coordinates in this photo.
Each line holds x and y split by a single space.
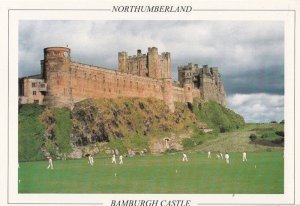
216 116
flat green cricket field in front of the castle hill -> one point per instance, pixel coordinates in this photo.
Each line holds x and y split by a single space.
157 174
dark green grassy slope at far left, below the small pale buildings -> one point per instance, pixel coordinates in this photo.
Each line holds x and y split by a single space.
31 132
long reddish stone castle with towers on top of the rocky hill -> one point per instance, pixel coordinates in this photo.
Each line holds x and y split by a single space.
63 82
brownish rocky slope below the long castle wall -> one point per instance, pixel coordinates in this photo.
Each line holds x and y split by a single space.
99 120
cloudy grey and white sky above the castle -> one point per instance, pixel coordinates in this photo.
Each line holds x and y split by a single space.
249 54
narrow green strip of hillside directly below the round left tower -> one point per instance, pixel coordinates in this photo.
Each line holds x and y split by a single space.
62 129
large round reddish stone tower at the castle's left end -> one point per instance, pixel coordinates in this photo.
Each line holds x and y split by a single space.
56 72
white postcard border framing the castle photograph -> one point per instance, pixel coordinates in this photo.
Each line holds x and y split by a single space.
16 15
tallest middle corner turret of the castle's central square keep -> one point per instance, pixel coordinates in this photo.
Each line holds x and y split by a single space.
153 63
